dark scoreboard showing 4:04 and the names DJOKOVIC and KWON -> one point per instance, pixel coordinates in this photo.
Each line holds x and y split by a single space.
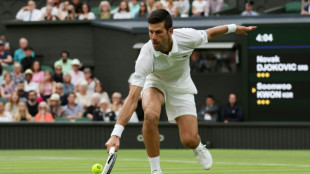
278 74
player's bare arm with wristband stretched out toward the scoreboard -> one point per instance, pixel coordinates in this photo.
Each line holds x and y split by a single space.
224 29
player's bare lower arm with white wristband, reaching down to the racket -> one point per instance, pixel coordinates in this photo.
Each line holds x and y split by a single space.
126 112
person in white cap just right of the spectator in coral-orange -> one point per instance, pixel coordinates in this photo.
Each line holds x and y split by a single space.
55 108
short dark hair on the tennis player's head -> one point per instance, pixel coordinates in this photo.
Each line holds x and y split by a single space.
160 15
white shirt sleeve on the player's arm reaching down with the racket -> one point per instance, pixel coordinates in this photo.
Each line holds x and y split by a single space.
144 66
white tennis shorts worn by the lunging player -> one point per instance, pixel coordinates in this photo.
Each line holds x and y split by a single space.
177 104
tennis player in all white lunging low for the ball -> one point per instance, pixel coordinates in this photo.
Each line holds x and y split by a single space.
162 76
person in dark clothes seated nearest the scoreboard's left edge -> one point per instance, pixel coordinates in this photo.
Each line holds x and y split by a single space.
232 111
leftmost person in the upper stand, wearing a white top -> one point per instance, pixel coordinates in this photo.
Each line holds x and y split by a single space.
29 12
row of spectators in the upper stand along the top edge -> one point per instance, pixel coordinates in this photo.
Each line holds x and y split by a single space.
127 9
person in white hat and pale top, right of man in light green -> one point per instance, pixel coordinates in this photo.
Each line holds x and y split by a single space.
76 75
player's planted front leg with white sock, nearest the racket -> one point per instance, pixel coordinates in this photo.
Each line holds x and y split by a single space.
152 100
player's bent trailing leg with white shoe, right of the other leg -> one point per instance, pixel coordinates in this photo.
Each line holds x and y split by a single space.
188 130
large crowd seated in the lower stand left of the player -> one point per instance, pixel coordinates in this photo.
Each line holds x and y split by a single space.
66 93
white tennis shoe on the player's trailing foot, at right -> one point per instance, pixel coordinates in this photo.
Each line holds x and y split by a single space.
204 157
